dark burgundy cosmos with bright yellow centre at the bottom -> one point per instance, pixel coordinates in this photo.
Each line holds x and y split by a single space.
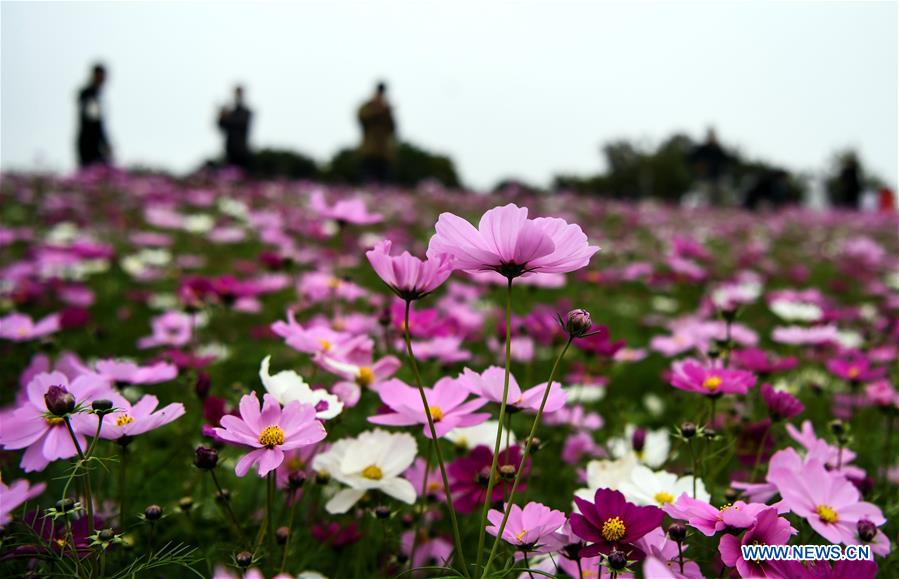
612 522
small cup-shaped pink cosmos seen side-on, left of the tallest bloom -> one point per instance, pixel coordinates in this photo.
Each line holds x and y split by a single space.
409 277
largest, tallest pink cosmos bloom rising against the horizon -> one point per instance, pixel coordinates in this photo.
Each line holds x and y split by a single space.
506 241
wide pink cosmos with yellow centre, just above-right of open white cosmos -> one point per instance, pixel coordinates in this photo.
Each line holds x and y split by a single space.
446 400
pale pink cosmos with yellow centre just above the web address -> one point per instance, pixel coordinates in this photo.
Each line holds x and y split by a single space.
827 500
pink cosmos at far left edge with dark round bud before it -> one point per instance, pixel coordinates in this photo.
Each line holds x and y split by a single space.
48 439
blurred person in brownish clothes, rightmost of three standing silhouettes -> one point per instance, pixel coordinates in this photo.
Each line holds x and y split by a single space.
378 129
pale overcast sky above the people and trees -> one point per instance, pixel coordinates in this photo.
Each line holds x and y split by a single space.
525 89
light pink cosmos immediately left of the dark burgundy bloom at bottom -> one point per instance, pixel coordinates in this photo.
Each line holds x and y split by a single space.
531 528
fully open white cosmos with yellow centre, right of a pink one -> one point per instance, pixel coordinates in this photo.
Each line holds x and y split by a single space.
374 460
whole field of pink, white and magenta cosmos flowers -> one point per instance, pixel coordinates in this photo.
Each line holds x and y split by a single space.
221 378
